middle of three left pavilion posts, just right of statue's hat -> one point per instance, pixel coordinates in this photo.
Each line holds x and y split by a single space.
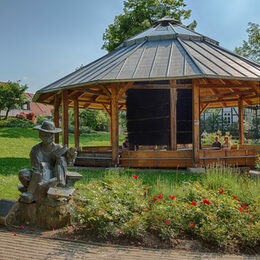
65 117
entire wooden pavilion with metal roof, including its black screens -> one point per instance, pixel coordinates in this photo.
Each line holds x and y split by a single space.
164 78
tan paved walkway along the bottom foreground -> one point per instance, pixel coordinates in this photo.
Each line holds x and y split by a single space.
32 246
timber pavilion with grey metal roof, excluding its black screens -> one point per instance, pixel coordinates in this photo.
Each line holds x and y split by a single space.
166 56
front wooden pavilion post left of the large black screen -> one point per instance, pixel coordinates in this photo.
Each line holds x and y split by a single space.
114 124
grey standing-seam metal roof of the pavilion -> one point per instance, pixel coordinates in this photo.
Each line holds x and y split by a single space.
167 50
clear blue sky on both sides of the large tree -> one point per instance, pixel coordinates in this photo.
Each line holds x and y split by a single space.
43 40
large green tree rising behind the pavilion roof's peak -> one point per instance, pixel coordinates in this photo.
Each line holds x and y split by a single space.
139 15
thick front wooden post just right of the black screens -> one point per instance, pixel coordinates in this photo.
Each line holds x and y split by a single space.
196 121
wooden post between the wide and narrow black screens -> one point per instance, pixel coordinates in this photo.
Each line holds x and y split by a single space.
173 118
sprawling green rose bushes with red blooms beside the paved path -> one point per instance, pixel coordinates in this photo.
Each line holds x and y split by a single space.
121 206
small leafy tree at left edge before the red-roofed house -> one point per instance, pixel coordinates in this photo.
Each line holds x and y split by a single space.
12 96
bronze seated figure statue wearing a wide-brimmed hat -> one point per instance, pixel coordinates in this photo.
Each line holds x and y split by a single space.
49 163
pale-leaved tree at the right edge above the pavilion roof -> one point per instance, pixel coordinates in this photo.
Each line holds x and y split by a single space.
251 48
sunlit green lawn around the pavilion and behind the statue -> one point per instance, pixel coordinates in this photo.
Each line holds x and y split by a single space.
16 143
